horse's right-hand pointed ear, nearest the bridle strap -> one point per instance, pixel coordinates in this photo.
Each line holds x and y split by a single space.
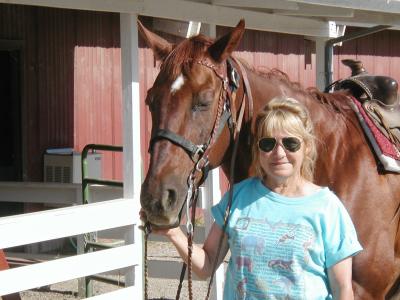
222 48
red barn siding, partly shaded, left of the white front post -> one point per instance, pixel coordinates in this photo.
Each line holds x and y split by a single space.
70 79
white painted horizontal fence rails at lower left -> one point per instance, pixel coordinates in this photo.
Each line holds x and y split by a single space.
64 222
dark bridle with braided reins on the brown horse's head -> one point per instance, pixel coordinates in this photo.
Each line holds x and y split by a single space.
226 114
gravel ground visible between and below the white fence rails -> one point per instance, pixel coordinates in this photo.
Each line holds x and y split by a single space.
158 288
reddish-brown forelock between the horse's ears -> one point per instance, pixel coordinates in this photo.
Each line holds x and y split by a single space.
184 55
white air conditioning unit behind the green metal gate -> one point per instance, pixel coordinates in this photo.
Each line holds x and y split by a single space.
66 167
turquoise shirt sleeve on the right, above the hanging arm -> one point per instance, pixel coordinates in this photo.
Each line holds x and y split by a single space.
341 237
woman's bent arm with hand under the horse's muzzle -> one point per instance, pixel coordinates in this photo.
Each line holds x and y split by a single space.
202 258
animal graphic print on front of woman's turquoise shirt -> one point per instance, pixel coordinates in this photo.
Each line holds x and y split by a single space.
270 258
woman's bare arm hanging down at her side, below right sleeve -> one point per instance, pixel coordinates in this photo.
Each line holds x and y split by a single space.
340 280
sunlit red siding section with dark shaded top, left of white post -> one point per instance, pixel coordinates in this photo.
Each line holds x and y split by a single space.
97 79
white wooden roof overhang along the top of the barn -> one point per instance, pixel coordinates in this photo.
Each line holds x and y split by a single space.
304 17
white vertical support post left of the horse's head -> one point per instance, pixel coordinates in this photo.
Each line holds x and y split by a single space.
131 136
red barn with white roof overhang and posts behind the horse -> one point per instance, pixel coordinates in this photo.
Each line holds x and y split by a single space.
74 73
